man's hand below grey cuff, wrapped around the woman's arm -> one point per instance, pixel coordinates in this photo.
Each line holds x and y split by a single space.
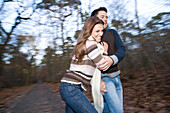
106 63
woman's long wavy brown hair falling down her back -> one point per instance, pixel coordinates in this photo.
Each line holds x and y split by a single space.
80 49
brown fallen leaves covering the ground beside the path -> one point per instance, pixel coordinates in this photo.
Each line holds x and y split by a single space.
143 93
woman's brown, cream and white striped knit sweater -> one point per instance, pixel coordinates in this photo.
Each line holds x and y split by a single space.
81 73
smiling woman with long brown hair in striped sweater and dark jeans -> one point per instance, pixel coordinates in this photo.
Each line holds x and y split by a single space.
86 56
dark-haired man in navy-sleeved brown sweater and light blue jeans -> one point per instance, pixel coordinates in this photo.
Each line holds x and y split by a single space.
110 74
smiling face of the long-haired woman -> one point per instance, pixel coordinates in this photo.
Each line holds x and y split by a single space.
97 32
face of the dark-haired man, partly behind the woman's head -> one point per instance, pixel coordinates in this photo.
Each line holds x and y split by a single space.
103 16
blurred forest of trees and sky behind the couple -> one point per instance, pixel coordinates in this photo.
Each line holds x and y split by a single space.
37 38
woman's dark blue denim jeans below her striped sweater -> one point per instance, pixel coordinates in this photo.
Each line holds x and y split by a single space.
76 101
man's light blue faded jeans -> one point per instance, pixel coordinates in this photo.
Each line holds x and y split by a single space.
113 96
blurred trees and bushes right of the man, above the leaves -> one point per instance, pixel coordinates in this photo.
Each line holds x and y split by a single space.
151 45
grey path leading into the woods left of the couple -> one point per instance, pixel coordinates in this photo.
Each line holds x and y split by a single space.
40 99
